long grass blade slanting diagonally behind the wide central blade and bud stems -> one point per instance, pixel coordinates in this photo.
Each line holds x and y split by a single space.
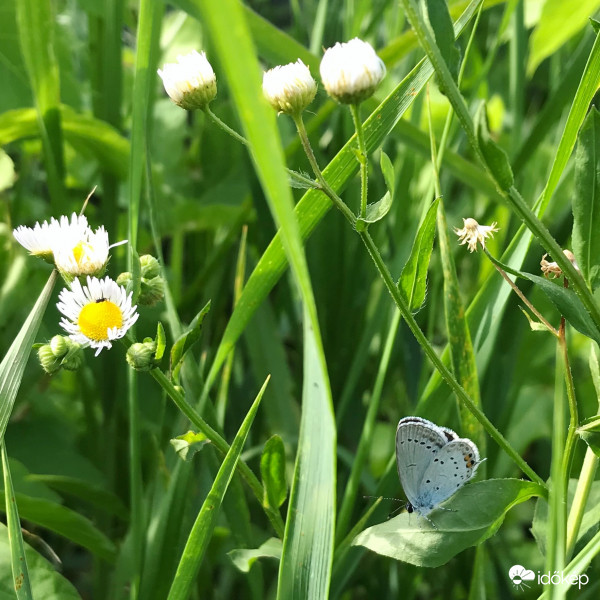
313 206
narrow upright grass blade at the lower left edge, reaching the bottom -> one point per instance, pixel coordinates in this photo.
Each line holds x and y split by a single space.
15 538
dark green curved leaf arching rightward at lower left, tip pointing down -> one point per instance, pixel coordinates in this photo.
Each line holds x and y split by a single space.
65 522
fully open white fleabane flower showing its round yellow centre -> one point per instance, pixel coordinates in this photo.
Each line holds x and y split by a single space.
97 313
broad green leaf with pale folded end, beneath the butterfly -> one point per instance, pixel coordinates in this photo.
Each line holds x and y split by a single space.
476 512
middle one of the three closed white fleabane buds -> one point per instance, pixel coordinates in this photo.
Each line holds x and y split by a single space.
289 88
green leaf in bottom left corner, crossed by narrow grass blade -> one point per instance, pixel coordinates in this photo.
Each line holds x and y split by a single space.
46 582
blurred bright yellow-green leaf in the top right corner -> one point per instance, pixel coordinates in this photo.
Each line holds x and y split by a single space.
559 22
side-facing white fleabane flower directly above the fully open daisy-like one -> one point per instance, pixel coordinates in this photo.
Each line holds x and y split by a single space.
86 256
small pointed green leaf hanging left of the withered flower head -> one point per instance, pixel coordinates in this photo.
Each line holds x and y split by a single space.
413 280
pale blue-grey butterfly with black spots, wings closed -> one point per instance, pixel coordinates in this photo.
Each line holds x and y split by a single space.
433 463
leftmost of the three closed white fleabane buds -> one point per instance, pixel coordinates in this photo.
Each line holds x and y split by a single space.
190 82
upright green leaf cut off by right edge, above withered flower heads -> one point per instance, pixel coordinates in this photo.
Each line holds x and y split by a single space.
586 200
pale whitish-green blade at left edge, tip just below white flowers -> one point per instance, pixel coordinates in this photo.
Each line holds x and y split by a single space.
13 363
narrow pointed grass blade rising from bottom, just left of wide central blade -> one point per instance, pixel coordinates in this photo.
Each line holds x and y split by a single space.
204 525
